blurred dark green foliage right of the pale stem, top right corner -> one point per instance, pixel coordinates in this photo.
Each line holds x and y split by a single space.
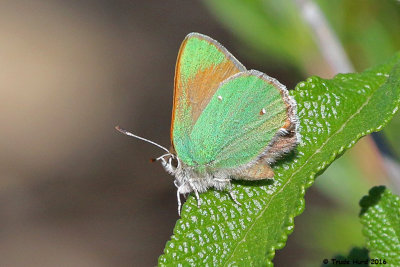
368 29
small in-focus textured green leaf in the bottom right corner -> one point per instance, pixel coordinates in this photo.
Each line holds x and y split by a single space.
380 216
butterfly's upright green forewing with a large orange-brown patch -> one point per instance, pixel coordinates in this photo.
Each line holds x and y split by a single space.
201 66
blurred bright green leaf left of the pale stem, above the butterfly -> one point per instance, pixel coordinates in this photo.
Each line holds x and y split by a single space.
269 29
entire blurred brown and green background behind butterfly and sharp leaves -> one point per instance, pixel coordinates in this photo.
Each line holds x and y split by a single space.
75 192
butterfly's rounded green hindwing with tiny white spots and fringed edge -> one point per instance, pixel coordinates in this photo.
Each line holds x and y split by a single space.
246 117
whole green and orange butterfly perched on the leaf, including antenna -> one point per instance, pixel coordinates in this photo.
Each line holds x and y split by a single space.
227 122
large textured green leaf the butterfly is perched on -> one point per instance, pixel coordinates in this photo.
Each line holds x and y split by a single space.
334 114
